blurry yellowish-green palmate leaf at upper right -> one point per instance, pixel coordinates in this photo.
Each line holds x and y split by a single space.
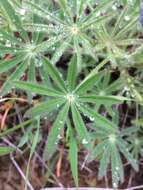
120 31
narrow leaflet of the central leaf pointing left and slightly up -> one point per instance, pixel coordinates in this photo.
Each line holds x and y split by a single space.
35 88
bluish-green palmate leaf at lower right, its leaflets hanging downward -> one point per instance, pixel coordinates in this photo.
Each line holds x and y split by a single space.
109 148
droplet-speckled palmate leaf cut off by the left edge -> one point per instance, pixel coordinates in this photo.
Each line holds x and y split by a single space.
25 57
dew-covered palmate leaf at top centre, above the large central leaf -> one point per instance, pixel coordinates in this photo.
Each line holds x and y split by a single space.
70 29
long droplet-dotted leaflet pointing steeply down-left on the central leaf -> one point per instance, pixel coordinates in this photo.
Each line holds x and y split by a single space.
52 140
